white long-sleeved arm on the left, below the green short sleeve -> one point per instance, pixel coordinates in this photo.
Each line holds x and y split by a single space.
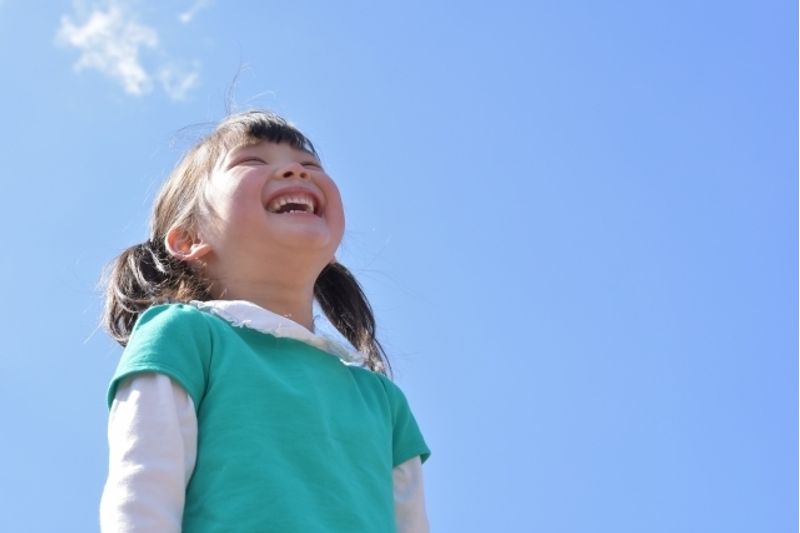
152 437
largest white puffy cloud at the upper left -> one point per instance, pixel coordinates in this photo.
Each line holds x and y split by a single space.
110 42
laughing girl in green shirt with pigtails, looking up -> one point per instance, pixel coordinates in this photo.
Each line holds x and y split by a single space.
228 412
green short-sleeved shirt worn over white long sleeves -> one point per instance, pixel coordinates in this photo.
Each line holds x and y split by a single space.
290 439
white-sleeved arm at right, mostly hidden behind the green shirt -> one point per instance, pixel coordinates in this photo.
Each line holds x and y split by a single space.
409 497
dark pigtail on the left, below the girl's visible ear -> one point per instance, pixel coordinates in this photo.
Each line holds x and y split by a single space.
144 275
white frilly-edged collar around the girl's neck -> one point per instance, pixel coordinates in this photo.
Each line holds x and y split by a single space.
241 313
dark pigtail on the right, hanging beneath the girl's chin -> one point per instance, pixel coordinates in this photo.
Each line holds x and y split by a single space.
345 304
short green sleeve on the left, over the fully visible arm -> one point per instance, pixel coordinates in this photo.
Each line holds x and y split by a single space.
172 339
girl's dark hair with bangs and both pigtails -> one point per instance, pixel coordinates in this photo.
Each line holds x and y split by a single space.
147 274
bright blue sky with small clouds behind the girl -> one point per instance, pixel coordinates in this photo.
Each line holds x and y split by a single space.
576 221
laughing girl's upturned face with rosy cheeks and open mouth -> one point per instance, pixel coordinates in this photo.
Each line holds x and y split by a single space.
272 203
